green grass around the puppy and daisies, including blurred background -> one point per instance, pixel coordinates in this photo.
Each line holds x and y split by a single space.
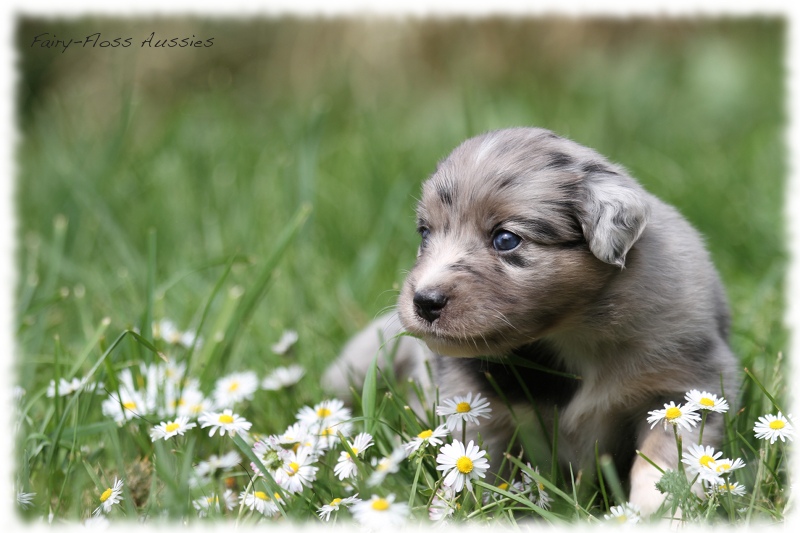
263 185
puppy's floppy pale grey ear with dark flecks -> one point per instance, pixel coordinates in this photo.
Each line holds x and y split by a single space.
613 215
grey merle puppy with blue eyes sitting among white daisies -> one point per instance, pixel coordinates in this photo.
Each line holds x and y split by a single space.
537 250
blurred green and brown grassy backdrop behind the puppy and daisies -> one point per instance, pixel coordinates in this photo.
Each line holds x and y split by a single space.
204 154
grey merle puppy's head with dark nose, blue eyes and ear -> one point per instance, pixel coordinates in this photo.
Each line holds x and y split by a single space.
520 230
